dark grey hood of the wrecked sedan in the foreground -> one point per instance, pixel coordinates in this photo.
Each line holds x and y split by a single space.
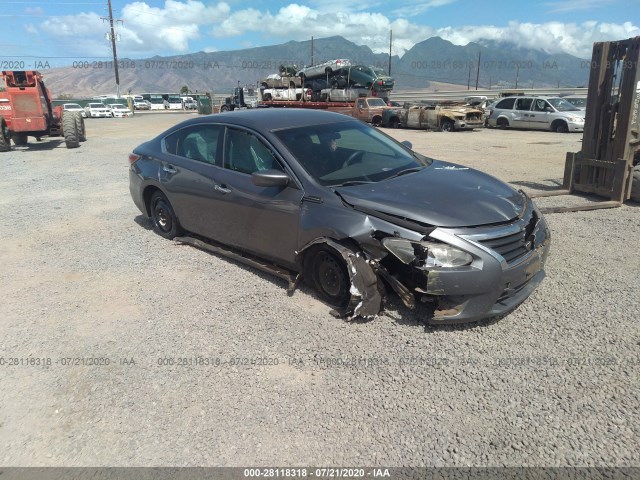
442 194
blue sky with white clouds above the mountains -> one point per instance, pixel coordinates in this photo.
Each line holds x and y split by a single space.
60 32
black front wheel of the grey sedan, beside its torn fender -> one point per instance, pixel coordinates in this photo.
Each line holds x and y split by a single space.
329 275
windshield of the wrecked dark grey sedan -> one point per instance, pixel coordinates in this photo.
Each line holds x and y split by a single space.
349 153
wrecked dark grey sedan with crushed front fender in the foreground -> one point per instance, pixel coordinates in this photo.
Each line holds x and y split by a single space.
349 209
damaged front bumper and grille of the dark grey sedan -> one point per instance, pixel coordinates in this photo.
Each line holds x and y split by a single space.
508 265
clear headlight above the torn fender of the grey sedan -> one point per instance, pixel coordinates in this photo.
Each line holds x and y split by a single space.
428 254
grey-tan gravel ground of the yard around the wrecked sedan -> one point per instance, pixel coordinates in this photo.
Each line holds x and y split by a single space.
555 383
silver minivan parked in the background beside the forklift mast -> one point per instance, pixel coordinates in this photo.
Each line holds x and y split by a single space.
539 113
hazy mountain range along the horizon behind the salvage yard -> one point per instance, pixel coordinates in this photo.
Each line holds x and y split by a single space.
432 60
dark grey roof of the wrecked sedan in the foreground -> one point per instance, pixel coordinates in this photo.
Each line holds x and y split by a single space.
275 118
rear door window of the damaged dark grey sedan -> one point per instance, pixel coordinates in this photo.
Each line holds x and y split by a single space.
199 143
